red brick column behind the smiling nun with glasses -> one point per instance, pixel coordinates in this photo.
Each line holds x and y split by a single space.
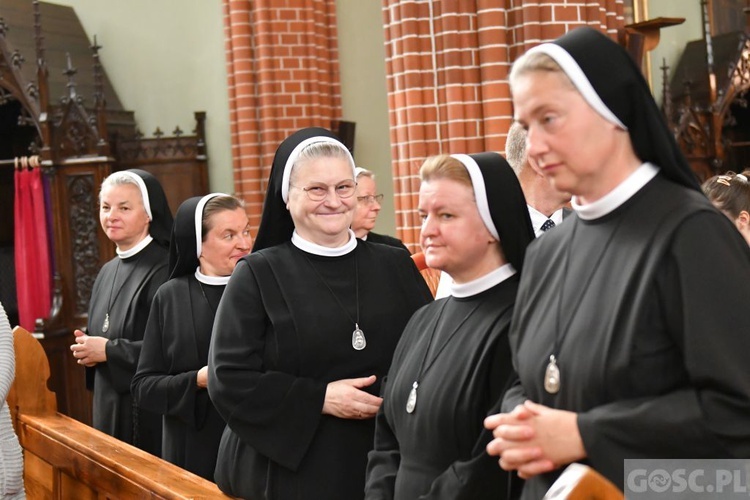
282 62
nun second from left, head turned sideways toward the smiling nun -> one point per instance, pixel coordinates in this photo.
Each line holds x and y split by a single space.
210 235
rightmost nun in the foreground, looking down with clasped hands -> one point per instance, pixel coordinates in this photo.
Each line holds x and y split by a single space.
629 335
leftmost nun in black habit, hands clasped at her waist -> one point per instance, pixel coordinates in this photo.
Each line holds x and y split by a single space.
134 214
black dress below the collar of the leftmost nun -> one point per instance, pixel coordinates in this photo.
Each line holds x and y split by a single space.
125 289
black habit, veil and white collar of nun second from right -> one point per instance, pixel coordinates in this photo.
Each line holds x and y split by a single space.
454 360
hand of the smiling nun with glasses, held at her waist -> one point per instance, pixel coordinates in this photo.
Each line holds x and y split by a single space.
346 399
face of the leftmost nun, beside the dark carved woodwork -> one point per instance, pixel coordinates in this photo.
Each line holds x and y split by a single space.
122 215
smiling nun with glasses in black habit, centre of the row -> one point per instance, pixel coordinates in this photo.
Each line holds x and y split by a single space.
304 333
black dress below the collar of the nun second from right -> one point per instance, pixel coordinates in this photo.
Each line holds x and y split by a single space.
460 346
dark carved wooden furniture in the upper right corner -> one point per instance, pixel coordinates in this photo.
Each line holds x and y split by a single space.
706 101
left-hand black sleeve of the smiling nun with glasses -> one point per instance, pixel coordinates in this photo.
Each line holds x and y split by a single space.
276 413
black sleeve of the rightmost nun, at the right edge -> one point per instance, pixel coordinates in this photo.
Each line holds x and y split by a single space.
701 292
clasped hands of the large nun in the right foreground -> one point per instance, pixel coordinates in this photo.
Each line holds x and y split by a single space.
534 439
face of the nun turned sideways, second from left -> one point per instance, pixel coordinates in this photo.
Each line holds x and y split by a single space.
227 241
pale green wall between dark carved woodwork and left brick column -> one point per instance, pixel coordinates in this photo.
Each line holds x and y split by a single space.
165 59
